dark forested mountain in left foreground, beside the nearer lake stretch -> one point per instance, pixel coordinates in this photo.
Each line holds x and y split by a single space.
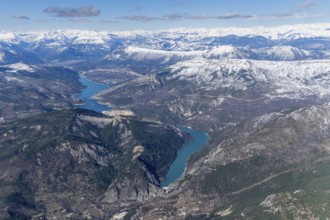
71 160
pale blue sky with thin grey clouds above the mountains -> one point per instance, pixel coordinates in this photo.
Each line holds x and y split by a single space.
113 15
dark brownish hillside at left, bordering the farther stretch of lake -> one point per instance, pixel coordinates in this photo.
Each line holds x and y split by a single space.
27 90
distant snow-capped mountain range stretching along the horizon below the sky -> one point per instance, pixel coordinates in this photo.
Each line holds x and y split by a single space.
283 43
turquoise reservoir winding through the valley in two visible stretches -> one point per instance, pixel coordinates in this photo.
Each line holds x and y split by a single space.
199 138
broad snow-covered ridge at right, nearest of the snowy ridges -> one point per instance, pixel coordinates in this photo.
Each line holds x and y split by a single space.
284 79
